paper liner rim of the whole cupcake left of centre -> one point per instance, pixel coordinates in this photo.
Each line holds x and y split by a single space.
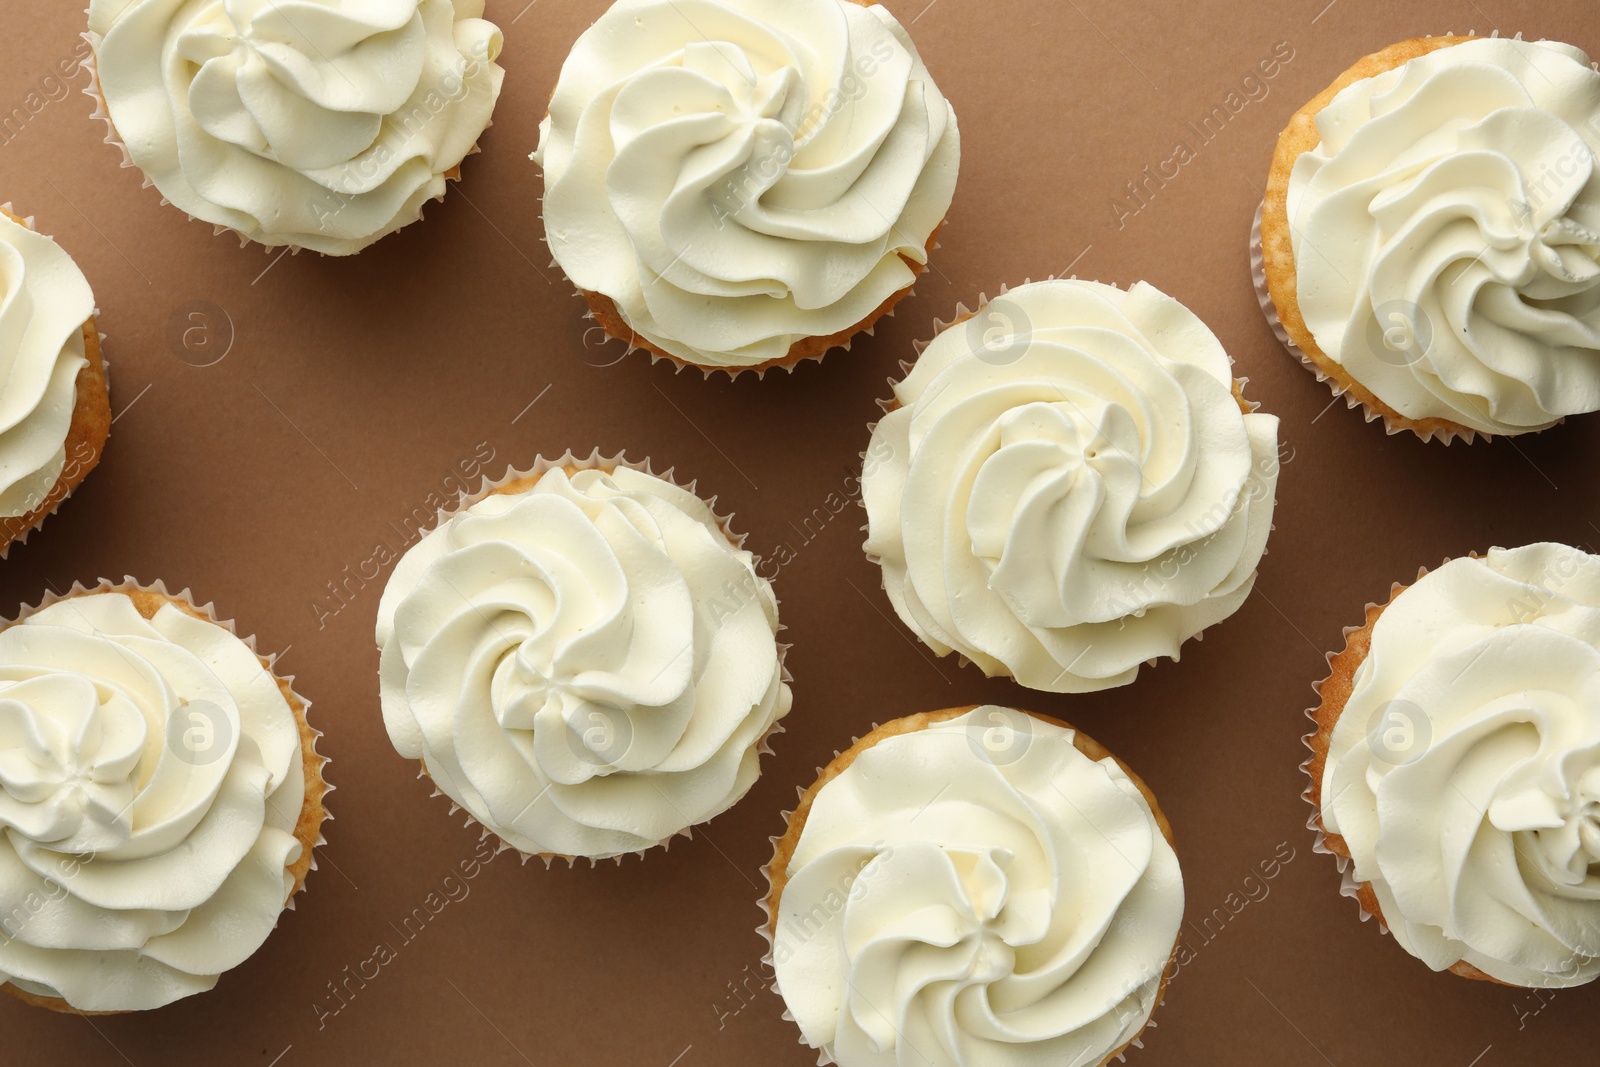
594 462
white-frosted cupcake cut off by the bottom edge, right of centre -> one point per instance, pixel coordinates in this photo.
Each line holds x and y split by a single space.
977 887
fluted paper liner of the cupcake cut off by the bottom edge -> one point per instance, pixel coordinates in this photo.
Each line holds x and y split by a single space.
785 845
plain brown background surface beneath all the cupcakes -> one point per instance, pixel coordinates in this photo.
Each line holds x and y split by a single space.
354 388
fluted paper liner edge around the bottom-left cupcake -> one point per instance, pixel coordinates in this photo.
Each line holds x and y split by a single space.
314 812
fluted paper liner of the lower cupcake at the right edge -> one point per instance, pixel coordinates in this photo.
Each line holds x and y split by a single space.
1332 695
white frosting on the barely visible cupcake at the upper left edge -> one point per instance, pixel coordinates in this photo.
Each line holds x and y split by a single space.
44 303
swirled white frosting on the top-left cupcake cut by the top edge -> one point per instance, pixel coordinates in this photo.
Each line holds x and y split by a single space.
318 124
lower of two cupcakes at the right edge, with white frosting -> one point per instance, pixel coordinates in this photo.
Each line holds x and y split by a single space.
1455 767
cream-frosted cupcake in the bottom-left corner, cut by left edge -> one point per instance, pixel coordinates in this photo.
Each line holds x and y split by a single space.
161 796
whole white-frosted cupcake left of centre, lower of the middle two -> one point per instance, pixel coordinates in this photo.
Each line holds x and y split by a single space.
585 660
